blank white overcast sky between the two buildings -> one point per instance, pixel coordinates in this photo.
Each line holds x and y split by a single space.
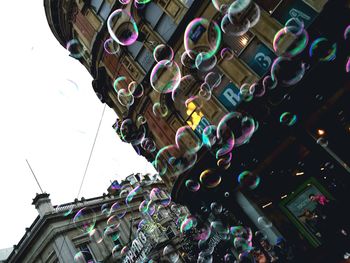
51 122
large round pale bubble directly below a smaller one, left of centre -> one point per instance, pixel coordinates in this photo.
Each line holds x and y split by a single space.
165 76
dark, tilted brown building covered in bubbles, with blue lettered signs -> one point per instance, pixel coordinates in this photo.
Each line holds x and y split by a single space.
293 133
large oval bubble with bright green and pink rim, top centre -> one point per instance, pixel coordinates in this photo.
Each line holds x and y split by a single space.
192 29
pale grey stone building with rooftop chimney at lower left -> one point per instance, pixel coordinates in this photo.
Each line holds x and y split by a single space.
106 228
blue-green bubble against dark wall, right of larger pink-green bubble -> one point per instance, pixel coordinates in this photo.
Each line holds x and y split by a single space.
323 49
